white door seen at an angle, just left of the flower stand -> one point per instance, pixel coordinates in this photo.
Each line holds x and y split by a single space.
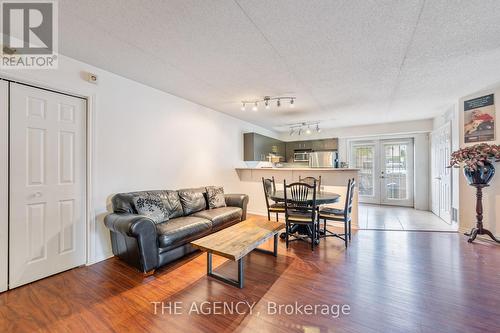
441 174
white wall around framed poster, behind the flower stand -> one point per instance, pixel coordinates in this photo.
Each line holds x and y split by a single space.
491 194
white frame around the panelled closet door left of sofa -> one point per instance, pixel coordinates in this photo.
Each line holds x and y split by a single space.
90 98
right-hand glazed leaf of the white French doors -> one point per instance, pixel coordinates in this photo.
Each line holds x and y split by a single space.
396 174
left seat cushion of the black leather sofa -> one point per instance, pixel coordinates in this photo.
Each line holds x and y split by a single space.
182 230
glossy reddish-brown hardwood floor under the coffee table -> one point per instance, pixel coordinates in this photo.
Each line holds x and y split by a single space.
393 281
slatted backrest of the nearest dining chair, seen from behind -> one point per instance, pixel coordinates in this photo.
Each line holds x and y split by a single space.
301 197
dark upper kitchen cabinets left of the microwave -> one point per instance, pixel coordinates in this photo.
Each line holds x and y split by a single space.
257 147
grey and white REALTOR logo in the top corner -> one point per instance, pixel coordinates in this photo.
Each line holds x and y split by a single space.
29 34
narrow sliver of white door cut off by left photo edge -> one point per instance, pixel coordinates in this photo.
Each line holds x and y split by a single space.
4 190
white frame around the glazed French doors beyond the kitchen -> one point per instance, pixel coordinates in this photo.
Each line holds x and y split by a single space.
377 142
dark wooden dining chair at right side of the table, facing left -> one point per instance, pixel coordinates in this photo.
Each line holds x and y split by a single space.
339 215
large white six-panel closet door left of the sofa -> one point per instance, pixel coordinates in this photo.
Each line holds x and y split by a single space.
47 184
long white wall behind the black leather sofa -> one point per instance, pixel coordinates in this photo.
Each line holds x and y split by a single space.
144 138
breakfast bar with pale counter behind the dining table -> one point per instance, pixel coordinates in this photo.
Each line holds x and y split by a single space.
332 180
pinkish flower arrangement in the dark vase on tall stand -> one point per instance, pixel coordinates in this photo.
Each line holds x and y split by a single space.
476 156
